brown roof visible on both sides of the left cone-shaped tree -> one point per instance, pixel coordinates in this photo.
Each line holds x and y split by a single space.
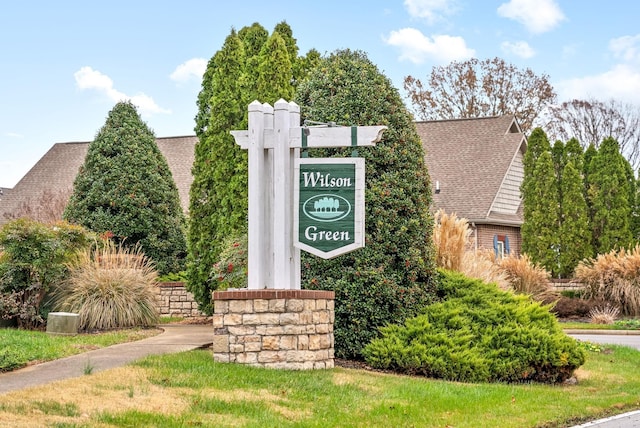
56 171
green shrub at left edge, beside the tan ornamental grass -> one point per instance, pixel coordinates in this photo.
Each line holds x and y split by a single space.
33 260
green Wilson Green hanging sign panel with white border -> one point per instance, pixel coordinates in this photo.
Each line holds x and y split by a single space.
329 205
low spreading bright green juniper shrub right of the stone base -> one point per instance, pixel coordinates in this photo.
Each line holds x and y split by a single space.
478 334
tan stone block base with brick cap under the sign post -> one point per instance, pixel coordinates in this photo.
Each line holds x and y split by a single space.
285 329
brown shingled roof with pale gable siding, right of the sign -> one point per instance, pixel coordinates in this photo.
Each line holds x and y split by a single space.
475 163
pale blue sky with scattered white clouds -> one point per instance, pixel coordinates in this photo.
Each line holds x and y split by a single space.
66 63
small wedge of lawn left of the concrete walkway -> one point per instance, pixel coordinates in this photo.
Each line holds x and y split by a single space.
24 347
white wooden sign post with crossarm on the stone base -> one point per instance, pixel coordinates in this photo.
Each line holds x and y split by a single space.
273 140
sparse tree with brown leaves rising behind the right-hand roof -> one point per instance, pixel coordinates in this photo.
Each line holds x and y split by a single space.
475 88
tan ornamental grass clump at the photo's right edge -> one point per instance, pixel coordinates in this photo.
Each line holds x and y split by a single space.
613 277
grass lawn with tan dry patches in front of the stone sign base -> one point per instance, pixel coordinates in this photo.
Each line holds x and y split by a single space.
190 389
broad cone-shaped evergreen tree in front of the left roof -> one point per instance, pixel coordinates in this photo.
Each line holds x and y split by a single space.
125 188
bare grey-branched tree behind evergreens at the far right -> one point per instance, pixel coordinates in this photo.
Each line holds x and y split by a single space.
591 121
